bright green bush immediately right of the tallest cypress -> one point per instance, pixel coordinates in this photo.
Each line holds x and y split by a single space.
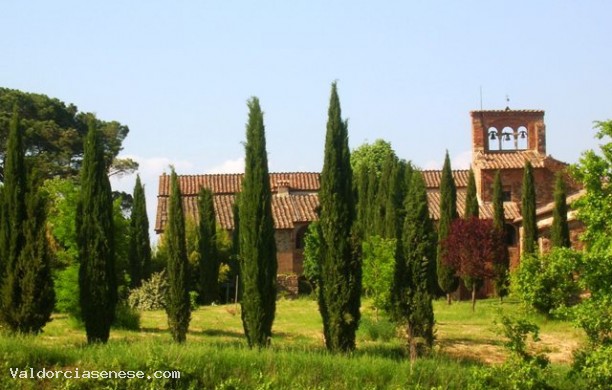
378 266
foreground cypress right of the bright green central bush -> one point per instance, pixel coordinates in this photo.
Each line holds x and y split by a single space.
413 278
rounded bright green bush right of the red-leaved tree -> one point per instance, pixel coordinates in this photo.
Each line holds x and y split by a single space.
548 282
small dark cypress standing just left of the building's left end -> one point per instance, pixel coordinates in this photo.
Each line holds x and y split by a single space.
139 255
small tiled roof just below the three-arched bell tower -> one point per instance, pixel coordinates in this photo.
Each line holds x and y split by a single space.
513 160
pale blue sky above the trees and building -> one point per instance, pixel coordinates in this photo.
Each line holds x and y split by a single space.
179 73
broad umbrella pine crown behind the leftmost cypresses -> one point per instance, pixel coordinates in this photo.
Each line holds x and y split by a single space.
54 134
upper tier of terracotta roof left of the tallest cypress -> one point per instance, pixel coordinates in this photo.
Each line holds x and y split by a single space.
232 183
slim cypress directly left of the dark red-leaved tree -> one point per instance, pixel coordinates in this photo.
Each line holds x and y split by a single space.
447 280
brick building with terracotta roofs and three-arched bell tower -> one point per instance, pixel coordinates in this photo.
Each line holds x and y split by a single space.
501 140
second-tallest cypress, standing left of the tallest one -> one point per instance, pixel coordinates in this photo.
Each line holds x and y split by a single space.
258 264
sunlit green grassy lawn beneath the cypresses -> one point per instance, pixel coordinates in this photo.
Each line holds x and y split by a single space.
216 355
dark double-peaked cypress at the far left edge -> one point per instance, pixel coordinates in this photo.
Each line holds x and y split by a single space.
27 296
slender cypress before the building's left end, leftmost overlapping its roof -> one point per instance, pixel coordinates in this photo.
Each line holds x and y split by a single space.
178 306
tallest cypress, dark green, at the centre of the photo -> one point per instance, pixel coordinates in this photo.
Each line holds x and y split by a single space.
340 279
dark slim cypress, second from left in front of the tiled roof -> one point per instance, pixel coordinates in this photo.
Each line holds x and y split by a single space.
207 248
